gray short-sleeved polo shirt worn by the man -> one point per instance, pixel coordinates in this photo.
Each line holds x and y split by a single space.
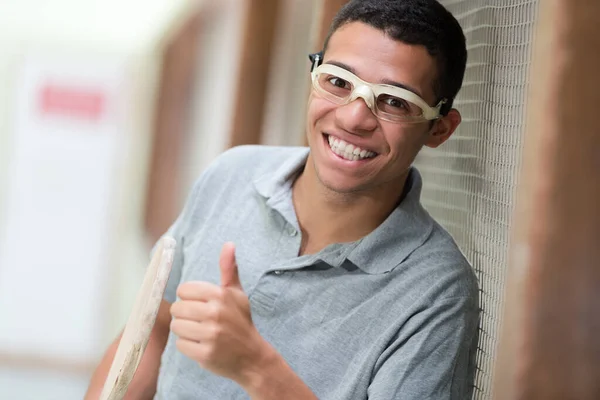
391 316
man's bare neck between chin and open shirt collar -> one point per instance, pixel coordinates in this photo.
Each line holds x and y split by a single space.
326 216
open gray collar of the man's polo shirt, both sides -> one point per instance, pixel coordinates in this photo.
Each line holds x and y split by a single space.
404 231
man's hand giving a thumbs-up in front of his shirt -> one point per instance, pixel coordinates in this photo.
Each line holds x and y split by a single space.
214 325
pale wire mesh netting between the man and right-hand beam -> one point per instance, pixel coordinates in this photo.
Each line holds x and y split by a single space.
470 181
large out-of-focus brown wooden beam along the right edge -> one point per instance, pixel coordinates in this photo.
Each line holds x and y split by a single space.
550 343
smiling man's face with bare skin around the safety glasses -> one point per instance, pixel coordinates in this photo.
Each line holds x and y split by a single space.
392 147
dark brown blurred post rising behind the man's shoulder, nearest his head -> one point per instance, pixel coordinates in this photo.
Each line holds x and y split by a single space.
251 91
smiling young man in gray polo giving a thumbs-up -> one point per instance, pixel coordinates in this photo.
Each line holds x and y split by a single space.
341 286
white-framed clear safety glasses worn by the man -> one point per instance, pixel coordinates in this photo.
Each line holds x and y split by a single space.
387 102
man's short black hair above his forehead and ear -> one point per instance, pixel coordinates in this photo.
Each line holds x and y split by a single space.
416 22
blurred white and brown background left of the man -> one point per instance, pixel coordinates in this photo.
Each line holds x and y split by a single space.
109 111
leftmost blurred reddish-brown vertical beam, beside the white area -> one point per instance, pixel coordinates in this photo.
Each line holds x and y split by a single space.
169 139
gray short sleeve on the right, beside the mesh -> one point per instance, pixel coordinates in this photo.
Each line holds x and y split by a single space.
434 355
